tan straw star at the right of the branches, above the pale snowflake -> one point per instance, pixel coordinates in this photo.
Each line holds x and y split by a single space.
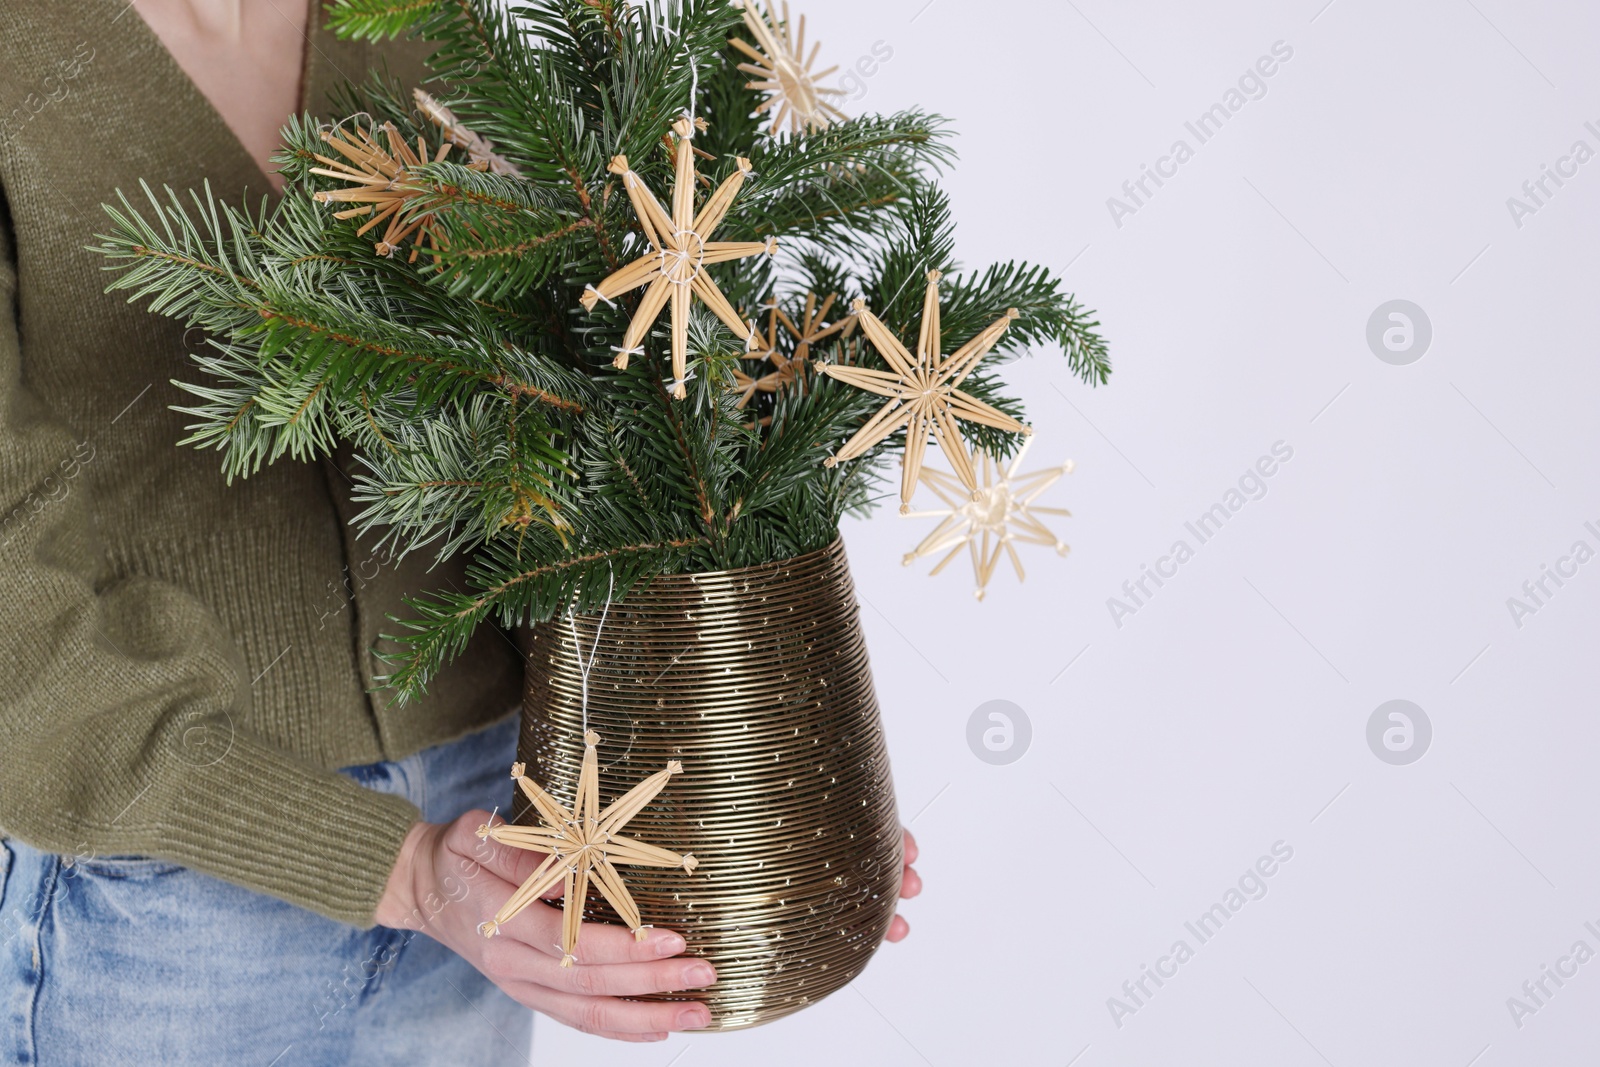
924 394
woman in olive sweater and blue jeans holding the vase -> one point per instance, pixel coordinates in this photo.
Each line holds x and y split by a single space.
220 845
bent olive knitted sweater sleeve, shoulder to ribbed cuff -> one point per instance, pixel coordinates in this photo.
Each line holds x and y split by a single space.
124 701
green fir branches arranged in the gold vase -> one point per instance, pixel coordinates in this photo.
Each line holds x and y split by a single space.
479 396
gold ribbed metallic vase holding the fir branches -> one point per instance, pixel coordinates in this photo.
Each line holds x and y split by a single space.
758 681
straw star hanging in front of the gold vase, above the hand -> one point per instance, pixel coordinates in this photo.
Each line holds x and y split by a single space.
583 845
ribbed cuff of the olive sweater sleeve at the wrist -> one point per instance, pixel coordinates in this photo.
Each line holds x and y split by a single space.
276 825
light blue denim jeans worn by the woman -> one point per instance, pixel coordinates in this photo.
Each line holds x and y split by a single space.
127 961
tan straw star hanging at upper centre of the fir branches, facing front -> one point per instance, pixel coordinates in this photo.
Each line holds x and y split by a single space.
681 249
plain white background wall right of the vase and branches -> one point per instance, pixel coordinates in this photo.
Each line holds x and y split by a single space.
1231 711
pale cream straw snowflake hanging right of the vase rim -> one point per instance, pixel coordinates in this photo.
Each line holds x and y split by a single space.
994 521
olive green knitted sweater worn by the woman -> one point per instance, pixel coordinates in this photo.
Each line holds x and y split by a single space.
183 663
